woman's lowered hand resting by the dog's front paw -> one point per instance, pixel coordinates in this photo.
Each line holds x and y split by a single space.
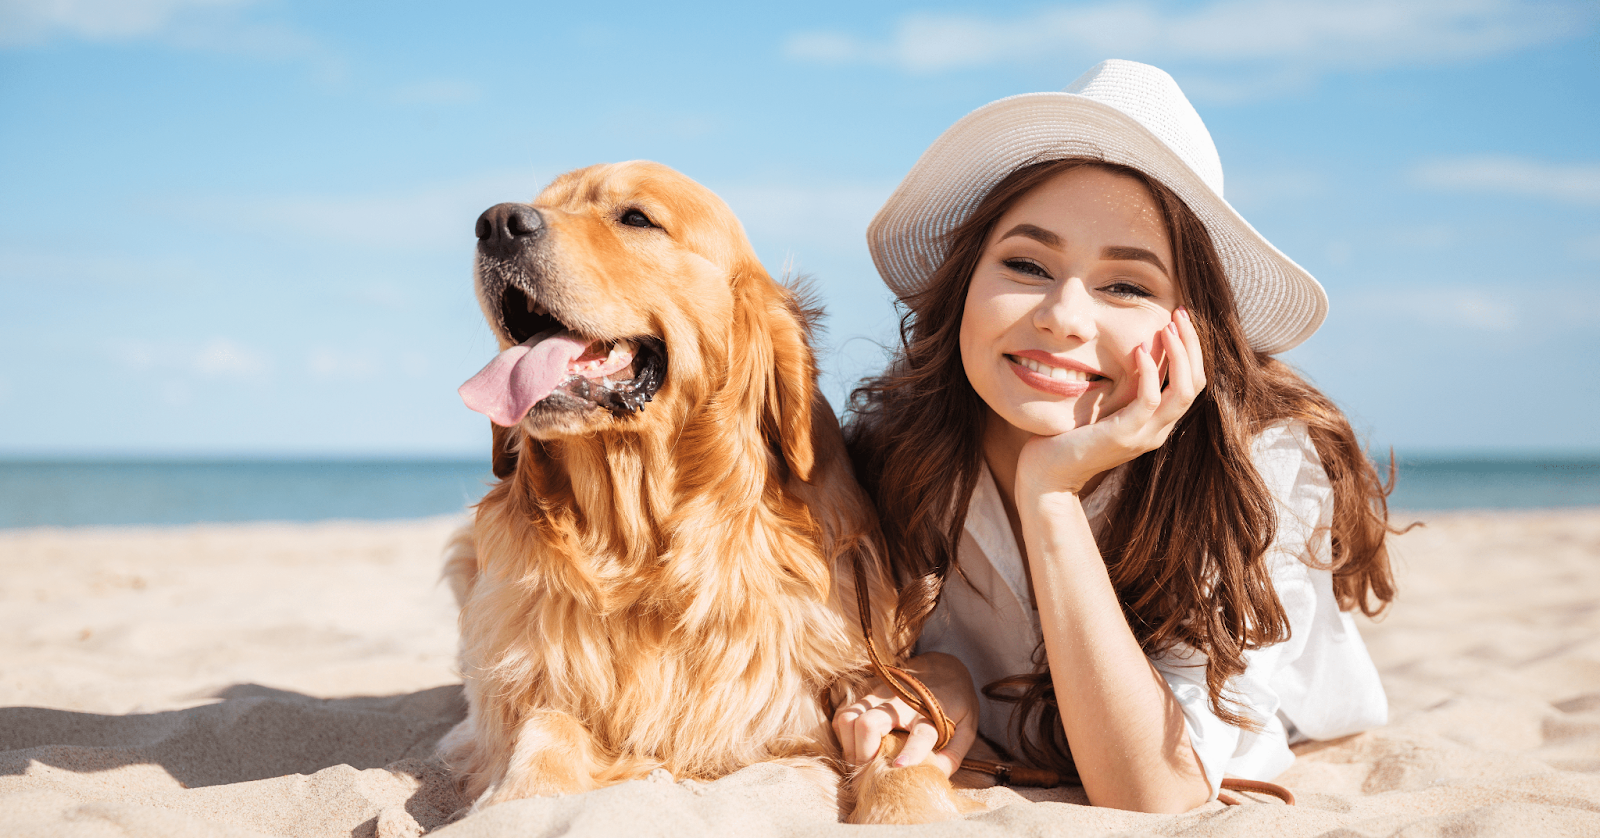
863 725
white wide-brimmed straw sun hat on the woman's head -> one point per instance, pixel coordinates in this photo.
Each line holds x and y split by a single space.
1121 113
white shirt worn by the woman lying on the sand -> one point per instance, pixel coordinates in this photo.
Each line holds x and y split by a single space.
1318 685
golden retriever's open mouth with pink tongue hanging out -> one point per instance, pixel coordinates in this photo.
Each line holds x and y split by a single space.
554 369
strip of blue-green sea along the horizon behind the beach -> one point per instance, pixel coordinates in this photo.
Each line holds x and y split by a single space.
194 492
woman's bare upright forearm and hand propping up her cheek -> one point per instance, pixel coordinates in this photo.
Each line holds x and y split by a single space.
1122 722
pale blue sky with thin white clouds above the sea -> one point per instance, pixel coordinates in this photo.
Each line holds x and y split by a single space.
246 228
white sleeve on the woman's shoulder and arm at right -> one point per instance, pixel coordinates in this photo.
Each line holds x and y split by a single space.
1319 684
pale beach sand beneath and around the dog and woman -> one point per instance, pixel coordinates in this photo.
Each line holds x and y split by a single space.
290 680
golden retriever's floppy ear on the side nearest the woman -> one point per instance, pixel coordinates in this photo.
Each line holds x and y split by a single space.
790 394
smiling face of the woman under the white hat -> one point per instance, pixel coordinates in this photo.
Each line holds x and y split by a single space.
1073 281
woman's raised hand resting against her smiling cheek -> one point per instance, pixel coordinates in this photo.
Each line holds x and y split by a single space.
1068 461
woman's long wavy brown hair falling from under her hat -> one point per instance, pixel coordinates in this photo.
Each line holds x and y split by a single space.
1186 541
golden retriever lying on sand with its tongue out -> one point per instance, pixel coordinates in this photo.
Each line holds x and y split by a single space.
662 578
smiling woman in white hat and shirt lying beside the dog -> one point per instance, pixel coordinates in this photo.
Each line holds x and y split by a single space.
1161 529
